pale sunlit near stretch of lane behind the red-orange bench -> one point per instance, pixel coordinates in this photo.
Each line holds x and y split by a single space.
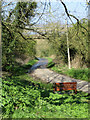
51 77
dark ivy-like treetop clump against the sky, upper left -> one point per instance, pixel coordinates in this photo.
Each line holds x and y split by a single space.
24 11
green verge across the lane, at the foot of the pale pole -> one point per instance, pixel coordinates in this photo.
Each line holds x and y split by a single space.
82 74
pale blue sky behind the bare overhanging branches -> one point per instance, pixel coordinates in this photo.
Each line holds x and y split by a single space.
55 12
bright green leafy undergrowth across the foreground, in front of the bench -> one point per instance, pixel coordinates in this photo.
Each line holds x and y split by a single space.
24 97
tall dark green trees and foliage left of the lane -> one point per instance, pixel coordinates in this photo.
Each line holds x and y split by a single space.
15 43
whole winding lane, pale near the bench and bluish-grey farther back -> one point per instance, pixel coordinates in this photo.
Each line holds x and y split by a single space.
39 71
